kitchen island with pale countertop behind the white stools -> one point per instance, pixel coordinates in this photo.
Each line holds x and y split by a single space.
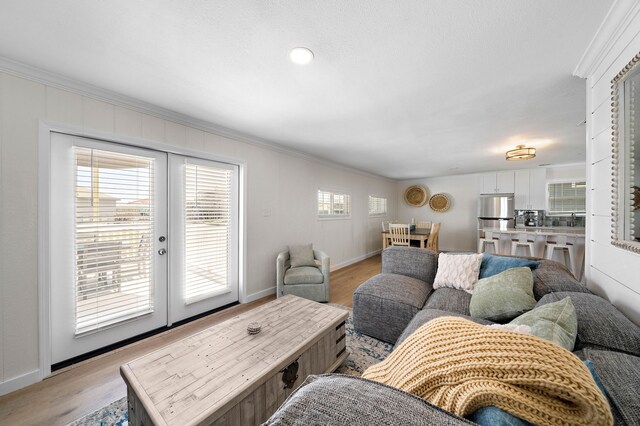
541 236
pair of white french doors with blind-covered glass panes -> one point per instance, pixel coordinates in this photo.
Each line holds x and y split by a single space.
118 269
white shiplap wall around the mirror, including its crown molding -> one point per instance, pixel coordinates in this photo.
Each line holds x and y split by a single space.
610 271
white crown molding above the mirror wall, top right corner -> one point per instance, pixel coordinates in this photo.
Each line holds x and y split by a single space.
621 14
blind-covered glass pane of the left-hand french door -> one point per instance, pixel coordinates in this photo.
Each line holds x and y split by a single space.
113 232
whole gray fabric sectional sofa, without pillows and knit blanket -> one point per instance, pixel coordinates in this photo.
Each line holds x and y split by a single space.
394 303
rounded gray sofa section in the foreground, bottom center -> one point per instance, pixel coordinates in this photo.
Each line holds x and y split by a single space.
336 400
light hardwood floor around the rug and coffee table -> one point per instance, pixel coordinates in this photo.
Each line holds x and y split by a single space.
85 387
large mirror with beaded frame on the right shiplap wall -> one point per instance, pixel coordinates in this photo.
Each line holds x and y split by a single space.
625 114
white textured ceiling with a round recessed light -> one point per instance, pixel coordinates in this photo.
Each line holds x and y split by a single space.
401 89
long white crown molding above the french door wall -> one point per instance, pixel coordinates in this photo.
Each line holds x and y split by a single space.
51 79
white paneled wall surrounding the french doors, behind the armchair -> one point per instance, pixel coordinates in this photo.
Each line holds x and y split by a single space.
284 183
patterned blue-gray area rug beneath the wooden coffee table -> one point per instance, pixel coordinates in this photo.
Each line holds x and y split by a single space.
364 351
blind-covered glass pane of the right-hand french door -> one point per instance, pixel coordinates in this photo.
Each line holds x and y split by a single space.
208 227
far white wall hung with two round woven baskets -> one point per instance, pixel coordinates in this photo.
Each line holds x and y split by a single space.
459 223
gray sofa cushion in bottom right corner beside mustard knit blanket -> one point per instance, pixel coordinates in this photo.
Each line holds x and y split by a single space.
620 377
